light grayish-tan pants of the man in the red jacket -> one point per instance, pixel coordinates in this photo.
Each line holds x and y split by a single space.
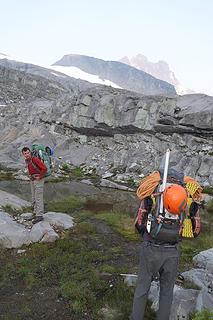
37 191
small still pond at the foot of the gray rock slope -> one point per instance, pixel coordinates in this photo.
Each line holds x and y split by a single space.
95 198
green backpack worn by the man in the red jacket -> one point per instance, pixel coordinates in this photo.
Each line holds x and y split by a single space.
44 154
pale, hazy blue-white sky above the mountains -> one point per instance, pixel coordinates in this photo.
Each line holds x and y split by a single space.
179 32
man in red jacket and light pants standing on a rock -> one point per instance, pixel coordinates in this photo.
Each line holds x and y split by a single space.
36 170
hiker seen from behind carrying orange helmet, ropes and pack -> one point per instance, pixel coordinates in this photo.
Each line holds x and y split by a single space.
160 221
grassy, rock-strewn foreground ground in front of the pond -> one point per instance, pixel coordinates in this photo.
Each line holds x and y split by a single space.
92 256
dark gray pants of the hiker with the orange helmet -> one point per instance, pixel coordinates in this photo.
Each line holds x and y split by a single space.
154 259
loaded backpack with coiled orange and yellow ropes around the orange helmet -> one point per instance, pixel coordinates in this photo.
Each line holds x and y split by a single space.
187 225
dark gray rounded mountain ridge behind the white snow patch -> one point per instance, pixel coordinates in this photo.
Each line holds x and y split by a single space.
123 75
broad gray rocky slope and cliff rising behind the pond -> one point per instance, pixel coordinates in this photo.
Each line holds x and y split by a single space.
109 129
